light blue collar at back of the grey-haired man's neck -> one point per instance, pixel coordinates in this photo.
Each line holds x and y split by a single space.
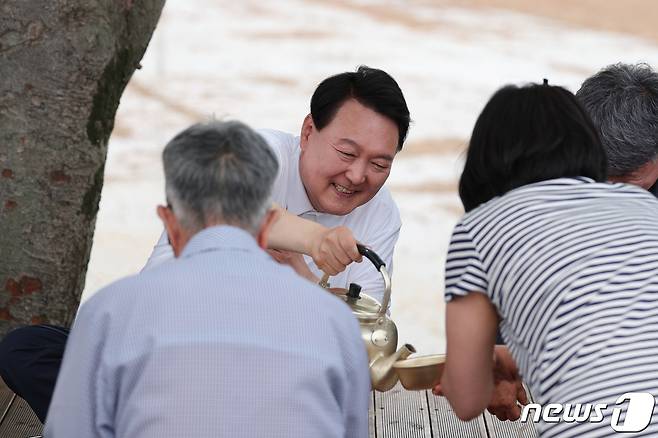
220 237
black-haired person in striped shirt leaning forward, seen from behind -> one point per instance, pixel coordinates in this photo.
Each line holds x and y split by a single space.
565 264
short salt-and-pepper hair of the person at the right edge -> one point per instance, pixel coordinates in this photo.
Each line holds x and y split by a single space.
622 100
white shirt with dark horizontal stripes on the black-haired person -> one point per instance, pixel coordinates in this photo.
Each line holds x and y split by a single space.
571 265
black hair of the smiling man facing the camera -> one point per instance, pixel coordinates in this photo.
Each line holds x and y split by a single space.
373 88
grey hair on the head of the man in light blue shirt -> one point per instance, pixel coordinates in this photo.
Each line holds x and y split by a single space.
219 173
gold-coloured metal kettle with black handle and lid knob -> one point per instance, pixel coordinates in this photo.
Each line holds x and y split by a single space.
378 331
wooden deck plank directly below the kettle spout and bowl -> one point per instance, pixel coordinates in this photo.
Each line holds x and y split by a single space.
402 413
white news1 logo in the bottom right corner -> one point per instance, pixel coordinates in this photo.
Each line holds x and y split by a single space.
638 414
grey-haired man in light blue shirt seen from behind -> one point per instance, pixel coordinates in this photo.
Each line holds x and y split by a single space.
223 341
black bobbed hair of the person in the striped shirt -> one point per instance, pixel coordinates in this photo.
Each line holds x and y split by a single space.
526 135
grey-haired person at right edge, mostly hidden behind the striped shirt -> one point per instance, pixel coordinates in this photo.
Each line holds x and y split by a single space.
622 100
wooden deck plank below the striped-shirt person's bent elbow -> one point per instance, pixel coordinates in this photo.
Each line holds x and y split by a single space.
445 423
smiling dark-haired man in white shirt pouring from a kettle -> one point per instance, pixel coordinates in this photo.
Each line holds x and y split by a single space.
333 172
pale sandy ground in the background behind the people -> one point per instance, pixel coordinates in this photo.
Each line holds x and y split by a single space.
260 61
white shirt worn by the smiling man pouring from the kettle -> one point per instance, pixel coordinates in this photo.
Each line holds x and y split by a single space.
375 223
